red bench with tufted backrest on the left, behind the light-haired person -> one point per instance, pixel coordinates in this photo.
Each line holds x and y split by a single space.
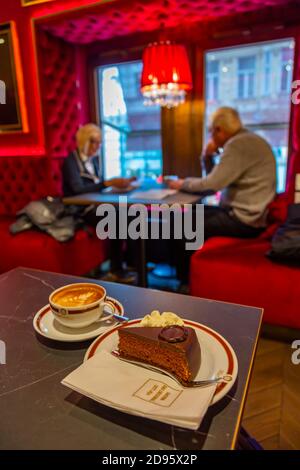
23 179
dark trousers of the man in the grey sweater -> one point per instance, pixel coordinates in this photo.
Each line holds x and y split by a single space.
218 222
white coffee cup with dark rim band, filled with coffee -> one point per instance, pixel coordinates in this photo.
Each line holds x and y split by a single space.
80 305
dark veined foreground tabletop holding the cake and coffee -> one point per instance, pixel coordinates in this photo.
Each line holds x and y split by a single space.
37 412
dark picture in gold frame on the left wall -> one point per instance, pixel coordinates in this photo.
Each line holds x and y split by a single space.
13 115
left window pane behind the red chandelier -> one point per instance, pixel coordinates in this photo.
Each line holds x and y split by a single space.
131 130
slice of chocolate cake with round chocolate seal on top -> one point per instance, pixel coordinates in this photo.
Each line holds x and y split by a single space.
173 348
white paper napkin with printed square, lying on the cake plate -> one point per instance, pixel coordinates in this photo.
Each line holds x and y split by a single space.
141 392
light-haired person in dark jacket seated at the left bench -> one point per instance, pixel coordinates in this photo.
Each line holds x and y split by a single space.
82 173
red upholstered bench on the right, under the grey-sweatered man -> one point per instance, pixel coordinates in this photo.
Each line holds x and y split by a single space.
236 270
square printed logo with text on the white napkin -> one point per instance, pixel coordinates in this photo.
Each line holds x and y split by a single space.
158 393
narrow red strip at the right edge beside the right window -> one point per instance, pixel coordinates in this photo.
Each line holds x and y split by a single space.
294 160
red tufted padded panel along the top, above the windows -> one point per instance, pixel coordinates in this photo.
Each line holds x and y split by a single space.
123 18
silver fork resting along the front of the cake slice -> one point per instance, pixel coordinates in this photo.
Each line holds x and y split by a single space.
193 383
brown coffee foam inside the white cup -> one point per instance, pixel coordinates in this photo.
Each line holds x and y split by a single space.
77 296
